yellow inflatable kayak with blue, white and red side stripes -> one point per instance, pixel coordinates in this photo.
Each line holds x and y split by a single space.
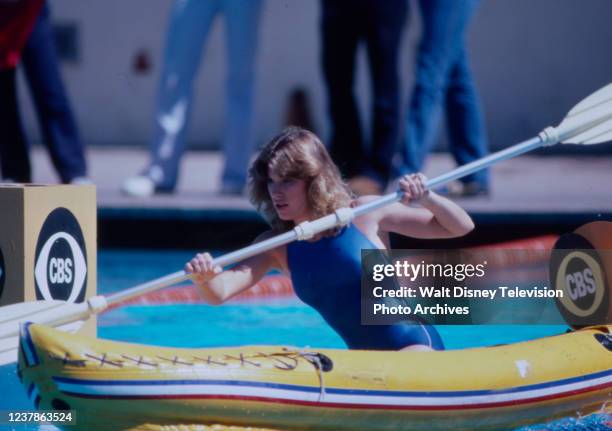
113 385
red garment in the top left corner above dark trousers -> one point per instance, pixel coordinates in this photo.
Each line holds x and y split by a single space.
17 18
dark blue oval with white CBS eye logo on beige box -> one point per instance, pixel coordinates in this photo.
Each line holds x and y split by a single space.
60 268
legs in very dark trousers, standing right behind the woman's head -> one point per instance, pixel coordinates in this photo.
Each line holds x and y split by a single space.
344 25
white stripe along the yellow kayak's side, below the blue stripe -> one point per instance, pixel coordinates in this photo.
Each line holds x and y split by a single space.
118 390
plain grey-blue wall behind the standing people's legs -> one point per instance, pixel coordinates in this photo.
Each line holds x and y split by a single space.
533 59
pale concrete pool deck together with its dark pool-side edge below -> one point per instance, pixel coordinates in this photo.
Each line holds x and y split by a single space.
531 196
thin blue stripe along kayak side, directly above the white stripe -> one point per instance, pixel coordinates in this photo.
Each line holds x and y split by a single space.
332 390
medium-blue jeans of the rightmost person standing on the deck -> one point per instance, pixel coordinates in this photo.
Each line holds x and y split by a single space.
443 78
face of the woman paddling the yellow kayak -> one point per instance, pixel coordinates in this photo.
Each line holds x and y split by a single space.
289 198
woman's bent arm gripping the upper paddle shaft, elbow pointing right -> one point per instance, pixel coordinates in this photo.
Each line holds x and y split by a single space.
439 217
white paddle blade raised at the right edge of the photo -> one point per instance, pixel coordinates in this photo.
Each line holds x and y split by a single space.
590 121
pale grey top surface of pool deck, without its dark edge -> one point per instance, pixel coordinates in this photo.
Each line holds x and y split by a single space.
524 185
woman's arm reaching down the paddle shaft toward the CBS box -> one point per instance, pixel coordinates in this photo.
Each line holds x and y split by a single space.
217 286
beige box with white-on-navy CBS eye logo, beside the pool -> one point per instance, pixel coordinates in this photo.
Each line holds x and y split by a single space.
48 244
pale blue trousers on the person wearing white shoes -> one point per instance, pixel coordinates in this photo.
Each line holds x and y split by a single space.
190 23
